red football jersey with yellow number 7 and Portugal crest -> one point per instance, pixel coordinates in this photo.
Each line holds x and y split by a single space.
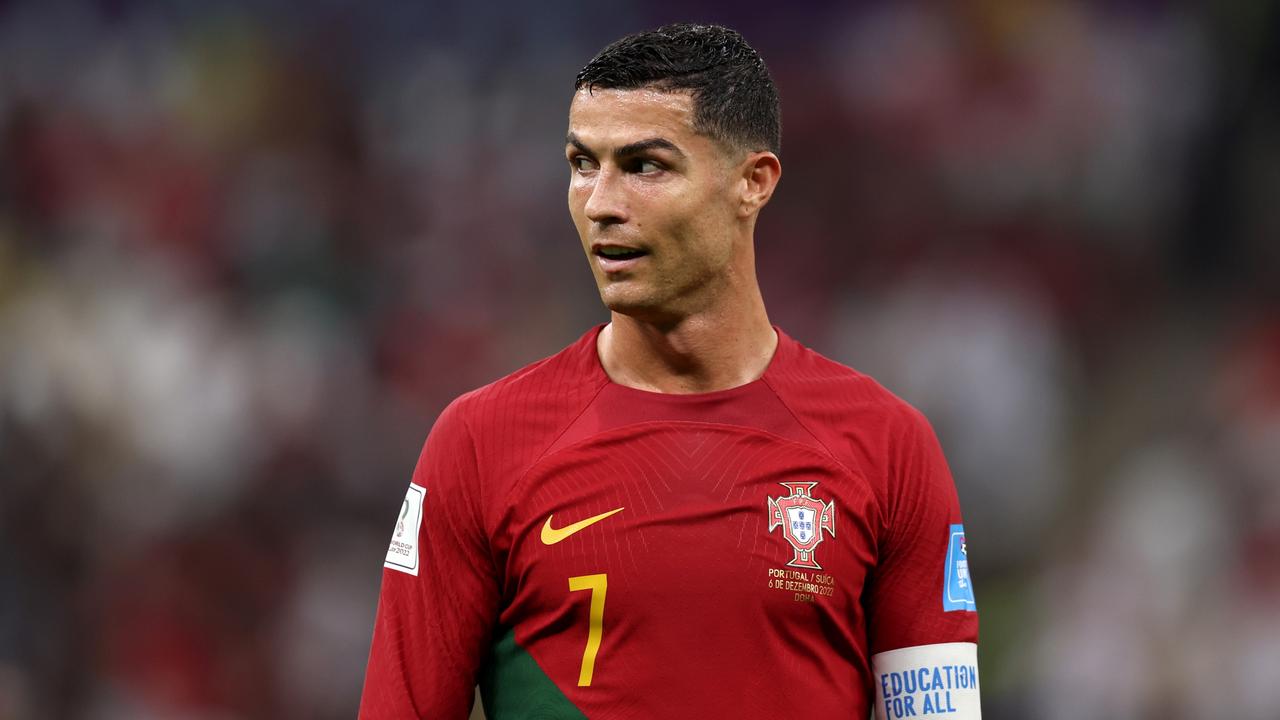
583 549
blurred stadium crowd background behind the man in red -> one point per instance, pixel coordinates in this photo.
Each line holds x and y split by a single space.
249 252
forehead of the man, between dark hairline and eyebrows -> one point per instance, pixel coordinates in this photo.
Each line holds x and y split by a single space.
618 117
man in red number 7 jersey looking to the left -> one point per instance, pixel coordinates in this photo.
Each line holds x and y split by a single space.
687 513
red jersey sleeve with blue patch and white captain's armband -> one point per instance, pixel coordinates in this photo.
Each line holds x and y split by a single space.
921 609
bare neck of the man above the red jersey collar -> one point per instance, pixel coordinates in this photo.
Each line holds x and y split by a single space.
719 349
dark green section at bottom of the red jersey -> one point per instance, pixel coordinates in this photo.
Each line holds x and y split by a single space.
514 687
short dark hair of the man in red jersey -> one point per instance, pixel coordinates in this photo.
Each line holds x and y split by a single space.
735 101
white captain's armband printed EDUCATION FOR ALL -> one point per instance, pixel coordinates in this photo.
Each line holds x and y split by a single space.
929 681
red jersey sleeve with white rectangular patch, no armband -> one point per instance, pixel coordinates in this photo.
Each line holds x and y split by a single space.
440 591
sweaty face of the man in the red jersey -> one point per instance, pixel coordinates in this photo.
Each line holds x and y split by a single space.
656 204
